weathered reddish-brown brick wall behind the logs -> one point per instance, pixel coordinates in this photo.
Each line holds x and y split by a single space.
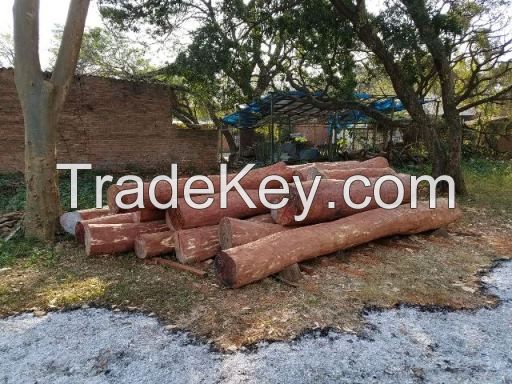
112 124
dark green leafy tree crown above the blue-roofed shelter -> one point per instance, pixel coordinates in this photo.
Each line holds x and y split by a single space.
240 49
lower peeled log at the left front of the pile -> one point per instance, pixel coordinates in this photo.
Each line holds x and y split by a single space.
116 238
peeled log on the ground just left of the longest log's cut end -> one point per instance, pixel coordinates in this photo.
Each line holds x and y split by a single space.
199 244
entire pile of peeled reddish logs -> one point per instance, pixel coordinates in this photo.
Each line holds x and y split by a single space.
249 244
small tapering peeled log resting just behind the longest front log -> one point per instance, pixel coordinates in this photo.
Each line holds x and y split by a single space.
234 232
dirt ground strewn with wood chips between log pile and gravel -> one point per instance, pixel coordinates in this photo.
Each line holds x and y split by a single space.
440 269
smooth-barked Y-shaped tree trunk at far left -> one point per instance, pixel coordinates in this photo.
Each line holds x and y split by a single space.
42 99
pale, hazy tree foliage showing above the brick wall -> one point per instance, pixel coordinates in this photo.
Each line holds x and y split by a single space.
109 54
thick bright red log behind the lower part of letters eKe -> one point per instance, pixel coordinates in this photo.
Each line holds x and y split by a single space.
184 217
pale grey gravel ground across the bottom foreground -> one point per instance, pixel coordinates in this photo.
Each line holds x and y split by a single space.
405 345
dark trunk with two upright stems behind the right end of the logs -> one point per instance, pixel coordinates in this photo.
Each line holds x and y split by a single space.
445 155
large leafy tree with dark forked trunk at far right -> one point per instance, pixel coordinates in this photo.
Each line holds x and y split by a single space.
419 43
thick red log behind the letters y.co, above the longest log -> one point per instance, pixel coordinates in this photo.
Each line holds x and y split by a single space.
331 191
